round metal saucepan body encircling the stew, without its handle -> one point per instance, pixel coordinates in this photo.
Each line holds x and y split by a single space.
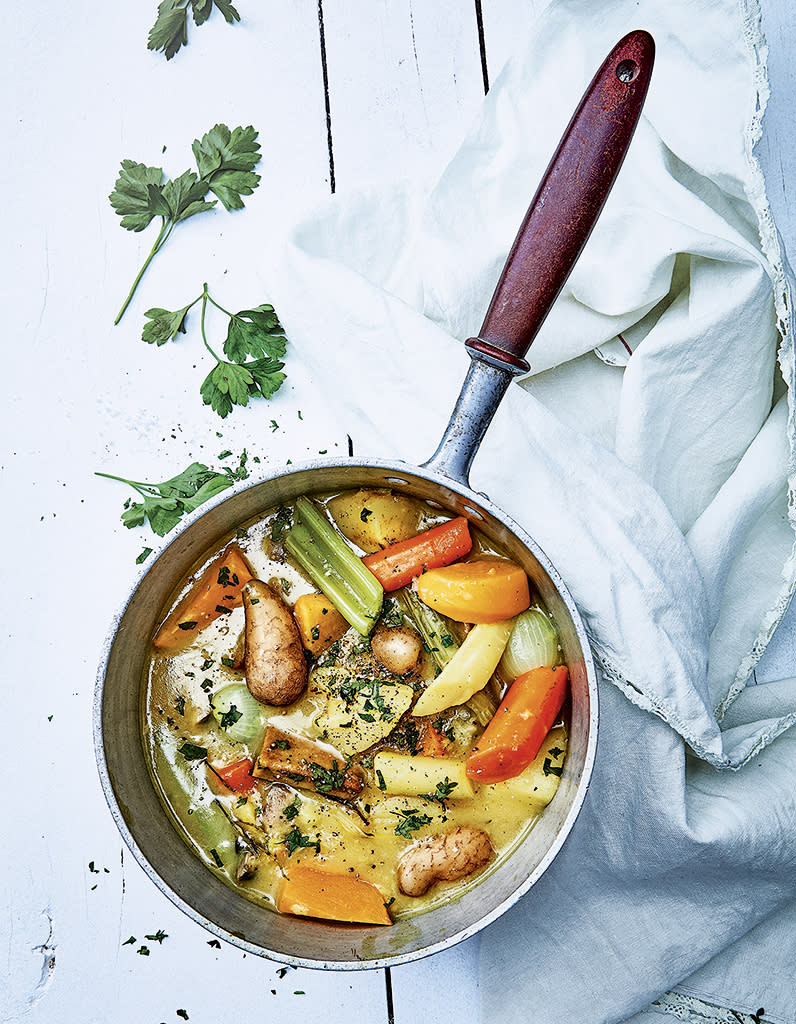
149 830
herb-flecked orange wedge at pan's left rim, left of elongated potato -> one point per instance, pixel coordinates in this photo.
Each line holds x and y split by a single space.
217 591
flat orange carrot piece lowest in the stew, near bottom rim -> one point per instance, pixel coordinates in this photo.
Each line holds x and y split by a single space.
313 893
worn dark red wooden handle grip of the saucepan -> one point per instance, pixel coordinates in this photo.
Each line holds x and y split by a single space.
568 203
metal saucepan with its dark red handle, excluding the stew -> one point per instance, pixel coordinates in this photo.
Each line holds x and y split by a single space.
556 229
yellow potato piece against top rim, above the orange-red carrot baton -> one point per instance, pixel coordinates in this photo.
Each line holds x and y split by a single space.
375 519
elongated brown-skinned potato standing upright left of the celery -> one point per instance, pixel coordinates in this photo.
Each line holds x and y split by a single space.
276 667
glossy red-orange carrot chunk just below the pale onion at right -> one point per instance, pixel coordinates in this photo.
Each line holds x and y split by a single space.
517 733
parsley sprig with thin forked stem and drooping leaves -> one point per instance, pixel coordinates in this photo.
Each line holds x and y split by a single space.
257 333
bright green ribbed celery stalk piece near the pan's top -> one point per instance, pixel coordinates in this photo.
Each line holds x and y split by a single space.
331 565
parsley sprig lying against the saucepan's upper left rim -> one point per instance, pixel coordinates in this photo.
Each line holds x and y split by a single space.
164 504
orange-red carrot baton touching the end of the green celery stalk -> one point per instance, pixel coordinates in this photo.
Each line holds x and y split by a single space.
399 564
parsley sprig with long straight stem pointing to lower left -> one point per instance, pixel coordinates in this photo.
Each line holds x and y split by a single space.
226 162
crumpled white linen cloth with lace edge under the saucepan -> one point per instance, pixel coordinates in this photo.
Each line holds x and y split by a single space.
659 484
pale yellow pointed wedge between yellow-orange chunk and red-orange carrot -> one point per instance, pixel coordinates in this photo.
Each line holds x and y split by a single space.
469 671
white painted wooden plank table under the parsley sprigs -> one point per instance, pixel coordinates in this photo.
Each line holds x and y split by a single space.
344 92
